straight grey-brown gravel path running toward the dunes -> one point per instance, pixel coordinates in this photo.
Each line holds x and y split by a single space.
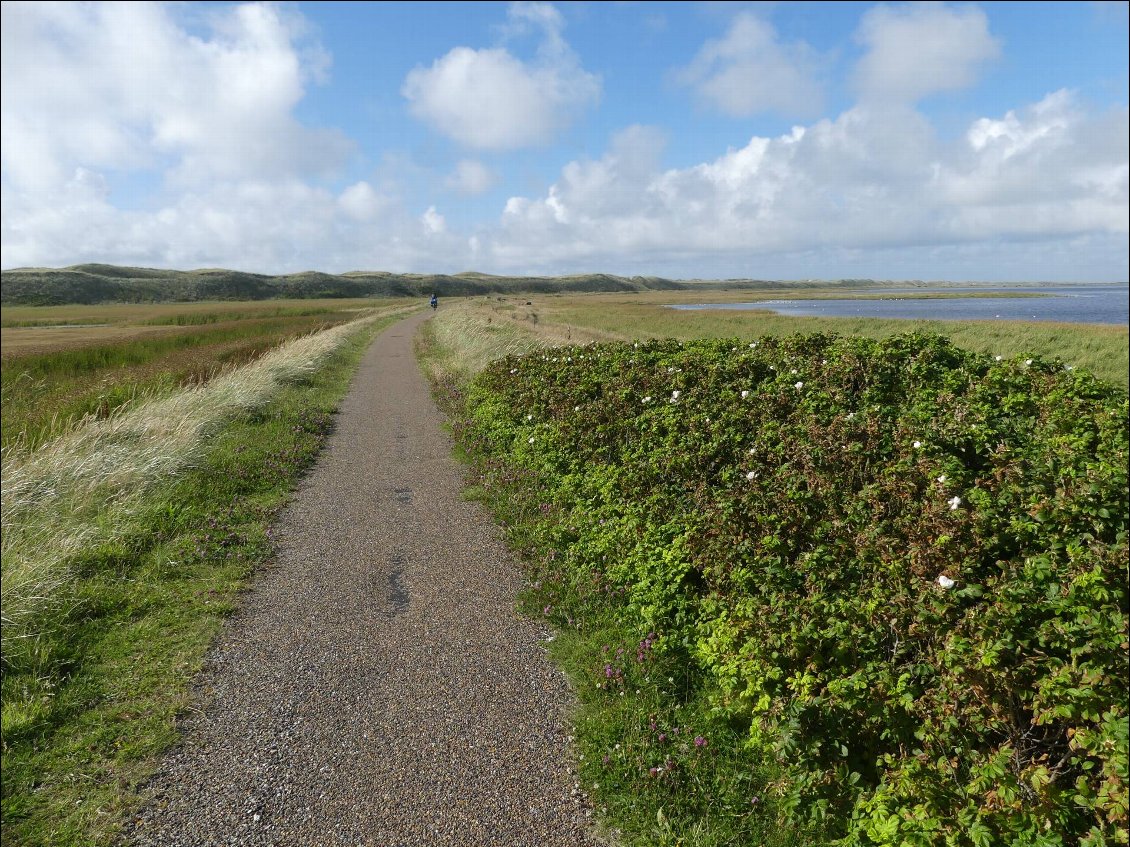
378 687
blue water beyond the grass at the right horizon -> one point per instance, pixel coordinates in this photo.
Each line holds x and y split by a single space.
1070 304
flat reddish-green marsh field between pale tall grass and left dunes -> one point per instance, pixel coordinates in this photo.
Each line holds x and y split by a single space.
64 363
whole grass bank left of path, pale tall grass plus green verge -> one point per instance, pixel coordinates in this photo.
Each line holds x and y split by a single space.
127 540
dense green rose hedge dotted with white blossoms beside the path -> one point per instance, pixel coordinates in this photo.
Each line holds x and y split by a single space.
899 566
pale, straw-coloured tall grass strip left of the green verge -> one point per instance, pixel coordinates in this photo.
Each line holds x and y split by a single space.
65 496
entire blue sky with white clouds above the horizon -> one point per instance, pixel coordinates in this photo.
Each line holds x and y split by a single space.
771 141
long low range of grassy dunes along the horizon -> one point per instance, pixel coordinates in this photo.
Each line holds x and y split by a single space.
89 284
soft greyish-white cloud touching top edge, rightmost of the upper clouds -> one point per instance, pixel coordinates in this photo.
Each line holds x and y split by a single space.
919 50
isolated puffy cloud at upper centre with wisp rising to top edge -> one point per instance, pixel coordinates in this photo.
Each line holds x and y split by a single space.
490 100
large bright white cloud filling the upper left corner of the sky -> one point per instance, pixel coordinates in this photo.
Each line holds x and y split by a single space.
123 86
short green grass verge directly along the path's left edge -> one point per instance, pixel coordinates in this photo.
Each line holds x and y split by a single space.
92 694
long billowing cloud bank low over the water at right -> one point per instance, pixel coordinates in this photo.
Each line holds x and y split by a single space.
872 179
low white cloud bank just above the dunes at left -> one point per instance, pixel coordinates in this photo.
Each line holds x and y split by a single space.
265 226
